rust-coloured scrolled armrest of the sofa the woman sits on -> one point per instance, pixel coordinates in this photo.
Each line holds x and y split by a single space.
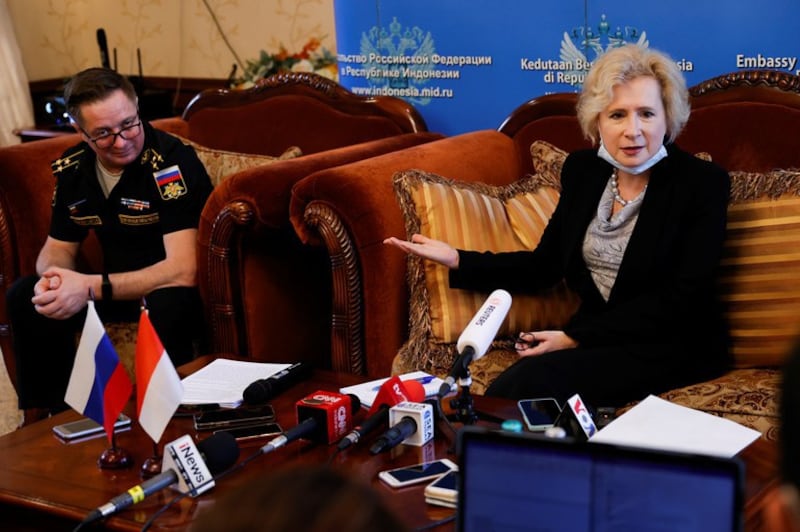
350 209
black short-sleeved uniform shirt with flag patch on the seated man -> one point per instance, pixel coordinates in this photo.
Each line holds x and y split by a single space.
162 191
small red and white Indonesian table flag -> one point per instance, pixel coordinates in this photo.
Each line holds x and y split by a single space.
159 389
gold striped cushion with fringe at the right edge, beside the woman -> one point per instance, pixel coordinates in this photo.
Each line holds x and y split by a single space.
758 279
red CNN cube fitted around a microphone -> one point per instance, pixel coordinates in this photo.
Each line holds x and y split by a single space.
333 413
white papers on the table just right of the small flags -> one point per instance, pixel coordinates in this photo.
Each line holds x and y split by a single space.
223 381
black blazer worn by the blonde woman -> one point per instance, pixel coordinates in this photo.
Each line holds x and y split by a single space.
665 289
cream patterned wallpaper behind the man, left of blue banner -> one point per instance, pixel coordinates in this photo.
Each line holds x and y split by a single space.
177 38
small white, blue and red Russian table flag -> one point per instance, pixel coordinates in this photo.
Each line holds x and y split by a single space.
99 386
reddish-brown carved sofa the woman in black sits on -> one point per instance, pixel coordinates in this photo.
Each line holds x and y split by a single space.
746 121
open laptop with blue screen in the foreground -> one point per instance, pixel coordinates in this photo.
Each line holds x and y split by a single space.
525 481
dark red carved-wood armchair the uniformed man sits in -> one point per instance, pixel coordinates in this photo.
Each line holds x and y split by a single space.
266 297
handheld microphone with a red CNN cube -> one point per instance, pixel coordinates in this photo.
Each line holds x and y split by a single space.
322 417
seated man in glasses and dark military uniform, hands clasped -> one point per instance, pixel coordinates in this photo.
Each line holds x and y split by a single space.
141 191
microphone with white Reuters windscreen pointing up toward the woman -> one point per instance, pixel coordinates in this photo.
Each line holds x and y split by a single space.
478 336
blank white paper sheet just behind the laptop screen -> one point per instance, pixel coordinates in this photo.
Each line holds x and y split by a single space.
659 424
